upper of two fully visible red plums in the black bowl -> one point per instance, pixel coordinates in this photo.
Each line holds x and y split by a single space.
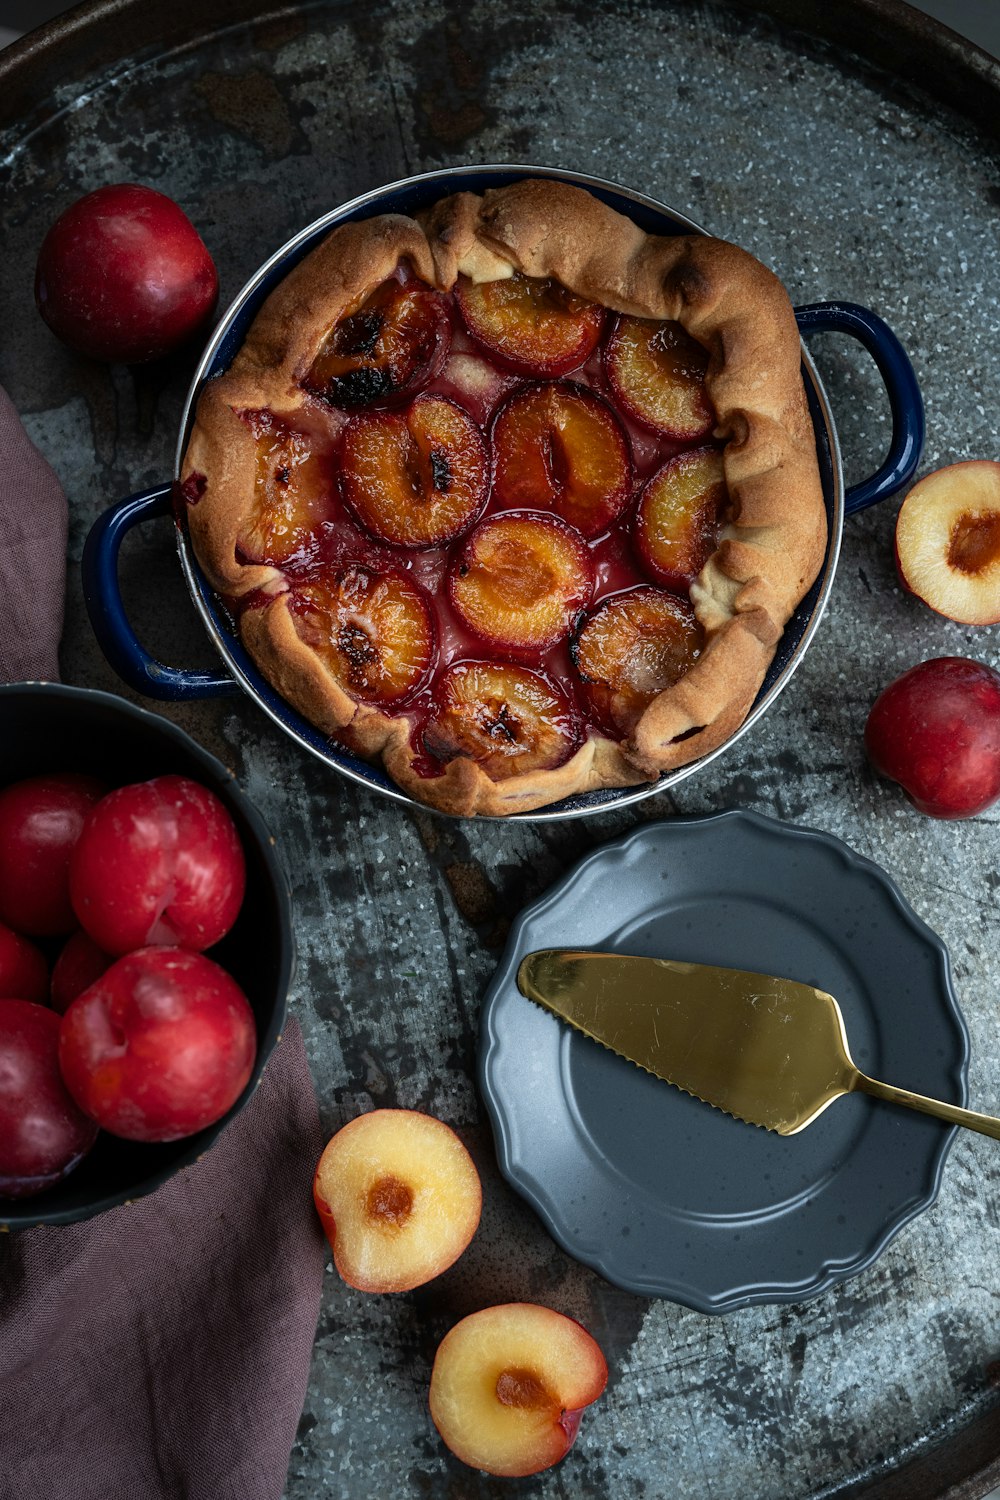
158 863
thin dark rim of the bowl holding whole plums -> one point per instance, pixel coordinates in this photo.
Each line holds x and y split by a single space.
17 1214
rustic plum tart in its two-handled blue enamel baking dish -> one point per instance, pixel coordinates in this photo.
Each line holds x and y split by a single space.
458 509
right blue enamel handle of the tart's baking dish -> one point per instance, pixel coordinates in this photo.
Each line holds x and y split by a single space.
906 403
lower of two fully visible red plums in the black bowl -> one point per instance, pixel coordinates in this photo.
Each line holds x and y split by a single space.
160 1046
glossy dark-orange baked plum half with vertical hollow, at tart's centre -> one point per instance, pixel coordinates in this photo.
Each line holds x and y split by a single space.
561 448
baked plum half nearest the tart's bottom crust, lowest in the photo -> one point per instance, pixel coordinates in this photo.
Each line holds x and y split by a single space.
504 718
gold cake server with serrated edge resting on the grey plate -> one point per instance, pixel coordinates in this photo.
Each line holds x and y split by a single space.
771 1052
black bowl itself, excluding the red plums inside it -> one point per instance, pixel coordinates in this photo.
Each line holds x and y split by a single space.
46 727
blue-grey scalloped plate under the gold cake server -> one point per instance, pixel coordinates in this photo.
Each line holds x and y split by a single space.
663 1195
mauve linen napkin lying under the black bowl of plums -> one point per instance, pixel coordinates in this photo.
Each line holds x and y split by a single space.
161 1351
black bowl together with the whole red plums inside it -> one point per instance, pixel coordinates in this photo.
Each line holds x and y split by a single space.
146 952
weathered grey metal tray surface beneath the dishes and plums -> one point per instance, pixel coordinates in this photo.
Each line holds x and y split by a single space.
848 187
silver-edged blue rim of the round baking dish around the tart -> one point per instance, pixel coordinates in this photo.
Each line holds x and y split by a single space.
295 724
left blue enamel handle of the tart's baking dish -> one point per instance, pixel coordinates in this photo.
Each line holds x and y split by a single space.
103 596
